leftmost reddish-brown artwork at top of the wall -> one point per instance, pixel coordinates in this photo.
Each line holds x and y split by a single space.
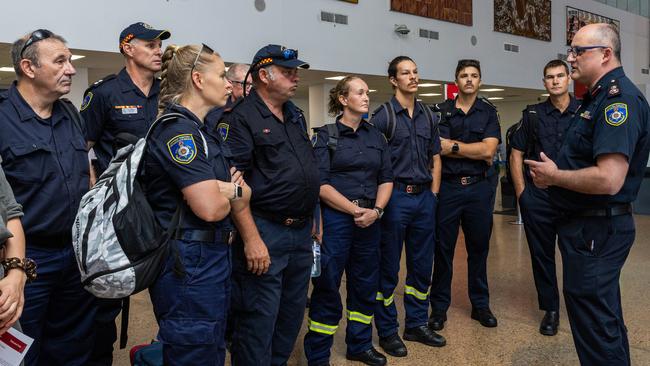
455 11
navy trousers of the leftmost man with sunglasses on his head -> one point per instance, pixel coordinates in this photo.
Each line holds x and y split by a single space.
59 314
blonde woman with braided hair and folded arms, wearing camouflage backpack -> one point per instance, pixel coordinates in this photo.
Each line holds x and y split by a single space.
184 164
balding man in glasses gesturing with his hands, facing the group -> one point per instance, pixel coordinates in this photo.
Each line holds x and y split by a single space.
593 181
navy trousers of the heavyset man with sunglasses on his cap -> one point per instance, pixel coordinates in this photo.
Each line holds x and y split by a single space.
268 310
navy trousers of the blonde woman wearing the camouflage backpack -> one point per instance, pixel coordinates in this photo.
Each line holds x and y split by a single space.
191 301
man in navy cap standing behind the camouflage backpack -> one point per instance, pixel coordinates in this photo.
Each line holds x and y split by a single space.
118 110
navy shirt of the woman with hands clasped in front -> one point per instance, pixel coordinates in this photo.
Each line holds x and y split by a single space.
360 163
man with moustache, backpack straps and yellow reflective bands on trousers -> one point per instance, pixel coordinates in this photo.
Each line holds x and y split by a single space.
409 217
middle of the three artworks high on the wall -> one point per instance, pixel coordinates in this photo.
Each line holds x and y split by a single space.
526 18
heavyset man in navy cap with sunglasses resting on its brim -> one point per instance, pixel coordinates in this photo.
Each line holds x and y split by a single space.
267 138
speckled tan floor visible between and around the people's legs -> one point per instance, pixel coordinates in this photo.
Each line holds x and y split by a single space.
516 340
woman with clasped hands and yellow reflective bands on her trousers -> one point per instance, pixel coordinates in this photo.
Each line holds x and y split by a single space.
356 183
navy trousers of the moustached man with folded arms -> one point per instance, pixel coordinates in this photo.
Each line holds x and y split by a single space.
469 207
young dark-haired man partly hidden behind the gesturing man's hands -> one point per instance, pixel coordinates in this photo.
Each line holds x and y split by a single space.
542 129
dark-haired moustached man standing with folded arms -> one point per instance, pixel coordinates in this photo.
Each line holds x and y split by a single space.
469 135
